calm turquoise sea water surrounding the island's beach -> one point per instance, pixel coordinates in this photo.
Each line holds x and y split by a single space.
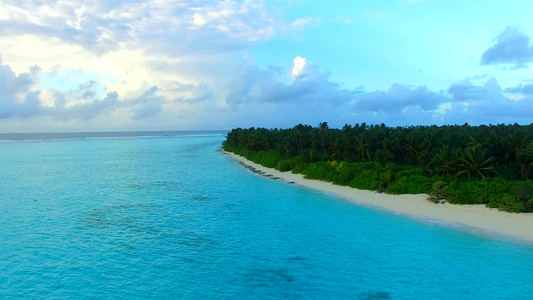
171 217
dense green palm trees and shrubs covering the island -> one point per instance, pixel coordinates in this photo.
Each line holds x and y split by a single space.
461 164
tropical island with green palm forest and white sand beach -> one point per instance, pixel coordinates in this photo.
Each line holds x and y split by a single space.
420 172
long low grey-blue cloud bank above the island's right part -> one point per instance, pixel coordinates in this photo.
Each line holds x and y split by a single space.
463 102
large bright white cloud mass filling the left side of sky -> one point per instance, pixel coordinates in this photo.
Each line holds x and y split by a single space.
127 61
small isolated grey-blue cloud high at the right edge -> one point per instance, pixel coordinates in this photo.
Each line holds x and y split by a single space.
512 47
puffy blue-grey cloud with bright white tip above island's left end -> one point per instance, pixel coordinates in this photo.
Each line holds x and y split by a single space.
274 97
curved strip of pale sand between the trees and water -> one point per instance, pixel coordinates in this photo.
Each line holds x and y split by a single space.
471 218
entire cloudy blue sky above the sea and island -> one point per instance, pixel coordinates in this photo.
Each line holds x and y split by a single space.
116 65
